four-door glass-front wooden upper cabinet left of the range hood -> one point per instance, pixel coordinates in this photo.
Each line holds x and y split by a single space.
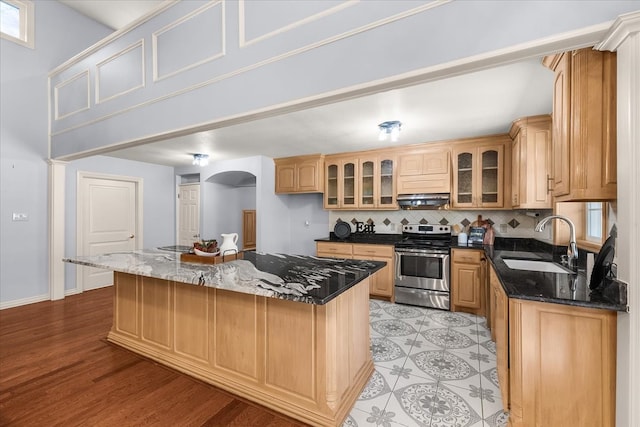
364 180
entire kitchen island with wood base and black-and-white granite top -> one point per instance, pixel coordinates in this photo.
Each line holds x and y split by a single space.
288 332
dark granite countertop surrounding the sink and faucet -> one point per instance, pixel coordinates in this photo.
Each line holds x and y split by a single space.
557 288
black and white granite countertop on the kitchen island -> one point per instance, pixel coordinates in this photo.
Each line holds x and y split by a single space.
305 279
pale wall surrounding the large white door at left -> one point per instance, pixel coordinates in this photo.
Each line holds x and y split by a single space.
159 206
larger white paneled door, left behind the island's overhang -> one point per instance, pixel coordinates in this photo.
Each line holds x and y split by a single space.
108 211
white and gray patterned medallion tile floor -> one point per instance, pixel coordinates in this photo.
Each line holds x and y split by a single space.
432 368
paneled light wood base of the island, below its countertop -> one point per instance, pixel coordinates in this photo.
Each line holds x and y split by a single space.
307 361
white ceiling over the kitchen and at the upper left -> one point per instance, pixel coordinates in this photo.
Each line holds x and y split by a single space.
474 104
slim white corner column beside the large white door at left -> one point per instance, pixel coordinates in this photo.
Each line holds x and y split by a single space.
57 173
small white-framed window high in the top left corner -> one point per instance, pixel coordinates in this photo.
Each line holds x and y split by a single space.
17 21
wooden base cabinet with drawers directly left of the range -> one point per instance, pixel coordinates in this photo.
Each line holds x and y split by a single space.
382 282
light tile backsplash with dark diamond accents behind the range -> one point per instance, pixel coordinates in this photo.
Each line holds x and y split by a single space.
505 223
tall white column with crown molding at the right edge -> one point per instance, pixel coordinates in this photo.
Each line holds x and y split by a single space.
624 38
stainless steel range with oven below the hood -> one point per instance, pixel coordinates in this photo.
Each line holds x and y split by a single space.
422 266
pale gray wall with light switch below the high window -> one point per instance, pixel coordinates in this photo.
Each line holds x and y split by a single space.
60 33
